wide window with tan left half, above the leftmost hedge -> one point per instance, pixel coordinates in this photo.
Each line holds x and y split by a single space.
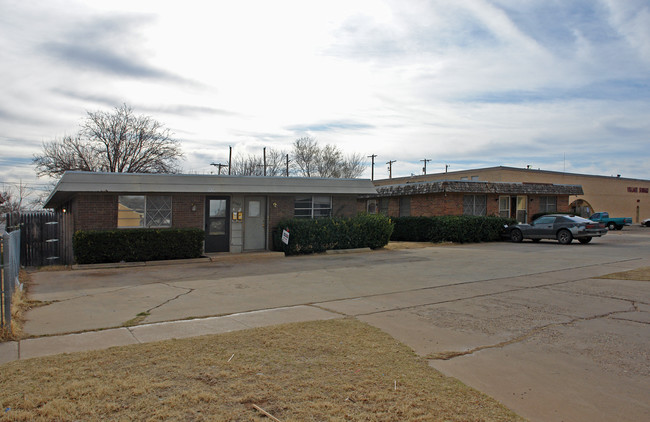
144 211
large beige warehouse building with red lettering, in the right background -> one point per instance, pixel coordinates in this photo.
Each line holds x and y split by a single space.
620 196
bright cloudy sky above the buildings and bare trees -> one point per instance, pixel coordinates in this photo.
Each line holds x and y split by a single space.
555 84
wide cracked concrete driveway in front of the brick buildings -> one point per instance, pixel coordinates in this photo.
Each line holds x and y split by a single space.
529 324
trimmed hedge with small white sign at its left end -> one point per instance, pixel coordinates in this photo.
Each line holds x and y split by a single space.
320 234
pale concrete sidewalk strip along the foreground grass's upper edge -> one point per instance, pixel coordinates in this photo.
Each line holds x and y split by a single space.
103 339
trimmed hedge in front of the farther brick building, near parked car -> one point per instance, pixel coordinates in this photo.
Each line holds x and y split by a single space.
459 229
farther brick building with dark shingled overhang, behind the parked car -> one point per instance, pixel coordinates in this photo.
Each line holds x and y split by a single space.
455 197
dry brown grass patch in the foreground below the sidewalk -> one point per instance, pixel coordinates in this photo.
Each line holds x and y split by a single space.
320 371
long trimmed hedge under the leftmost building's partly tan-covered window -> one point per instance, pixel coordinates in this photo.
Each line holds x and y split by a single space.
99 246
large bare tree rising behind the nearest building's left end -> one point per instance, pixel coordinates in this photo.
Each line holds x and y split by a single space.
117 141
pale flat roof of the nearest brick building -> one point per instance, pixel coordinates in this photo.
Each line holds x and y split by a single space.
74 182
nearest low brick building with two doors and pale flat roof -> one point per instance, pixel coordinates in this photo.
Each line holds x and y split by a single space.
238 213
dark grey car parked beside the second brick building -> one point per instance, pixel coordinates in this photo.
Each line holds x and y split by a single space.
564 228
